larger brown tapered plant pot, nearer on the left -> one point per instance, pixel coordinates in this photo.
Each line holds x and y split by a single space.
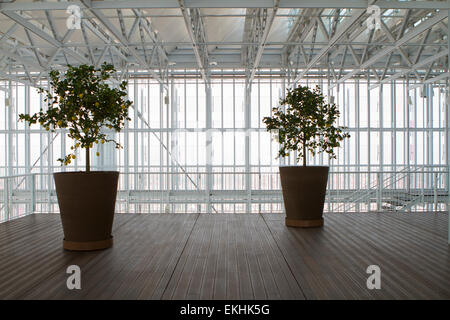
87 203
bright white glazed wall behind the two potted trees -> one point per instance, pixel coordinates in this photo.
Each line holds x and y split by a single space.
188 136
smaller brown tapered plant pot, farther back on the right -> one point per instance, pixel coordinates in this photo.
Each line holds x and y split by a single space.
304 191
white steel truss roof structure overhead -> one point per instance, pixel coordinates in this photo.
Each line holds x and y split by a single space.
309 38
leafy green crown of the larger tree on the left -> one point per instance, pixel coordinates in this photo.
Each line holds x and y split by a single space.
82 102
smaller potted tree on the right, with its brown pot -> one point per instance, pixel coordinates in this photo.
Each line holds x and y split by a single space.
306 125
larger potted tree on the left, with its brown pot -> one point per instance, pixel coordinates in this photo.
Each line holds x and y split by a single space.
82 102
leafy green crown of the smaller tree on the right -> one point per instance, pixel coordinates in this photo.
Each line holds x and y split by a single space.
307 124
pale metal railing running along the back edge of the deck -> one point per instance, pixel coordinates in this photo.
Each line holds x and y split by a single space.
421 188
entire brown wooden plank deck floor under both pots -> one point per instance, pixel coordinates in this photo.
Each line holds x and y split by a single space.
200 256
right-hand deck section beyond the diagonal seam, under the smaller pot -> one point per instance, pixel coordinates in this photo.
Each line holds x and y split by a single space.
336 256
